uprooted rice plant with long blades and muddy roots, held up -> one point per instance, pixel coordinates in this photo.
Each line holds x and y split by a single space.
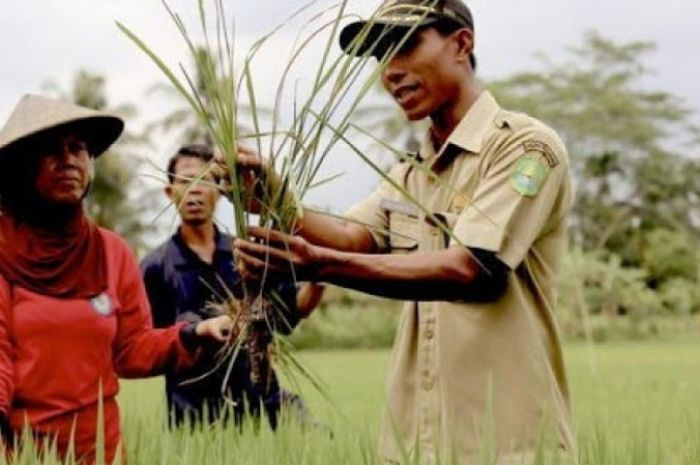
294 151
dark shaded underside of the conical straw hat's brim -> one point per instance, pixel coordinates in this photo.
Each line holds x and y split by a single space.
99 132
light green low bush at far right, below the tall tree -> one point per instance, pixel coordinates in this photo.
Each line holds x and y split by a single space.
601 299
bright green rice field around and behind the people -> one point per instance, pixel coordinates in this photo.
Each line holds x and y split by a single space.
635 403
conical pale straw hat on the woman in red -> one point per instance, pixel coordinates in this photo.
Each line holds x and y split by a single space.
35 116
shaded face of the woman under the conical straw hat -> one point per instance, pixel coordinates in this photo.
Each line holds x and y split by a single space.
63 171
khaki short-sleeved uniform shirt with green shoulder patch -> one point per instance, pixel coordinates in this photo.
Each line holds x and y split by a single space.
504 186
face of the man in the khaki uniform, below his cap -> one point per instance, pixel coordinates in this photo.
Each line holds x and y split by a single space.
424 75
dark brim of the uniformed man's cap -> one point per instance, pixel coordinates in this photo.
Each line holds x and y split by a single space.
365 38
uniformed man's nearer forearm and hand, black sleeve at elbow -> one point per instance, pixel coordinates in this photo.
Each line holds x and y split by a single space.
456 273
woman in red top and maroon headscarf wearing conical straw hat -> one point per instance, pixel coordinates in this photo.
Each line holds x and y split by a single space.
73 311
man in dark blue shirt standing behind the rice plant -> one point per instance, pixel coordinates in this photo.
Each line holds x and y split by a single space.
188 273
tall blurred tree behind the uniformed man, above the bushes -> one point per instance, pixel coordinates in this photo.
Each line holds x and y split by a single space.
625 143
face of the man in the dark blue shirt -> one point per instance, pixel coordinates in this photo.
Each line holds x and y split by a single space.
194 195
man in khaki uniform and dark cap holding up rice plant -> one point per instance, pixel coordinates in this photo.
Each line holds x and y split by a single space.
473 244
